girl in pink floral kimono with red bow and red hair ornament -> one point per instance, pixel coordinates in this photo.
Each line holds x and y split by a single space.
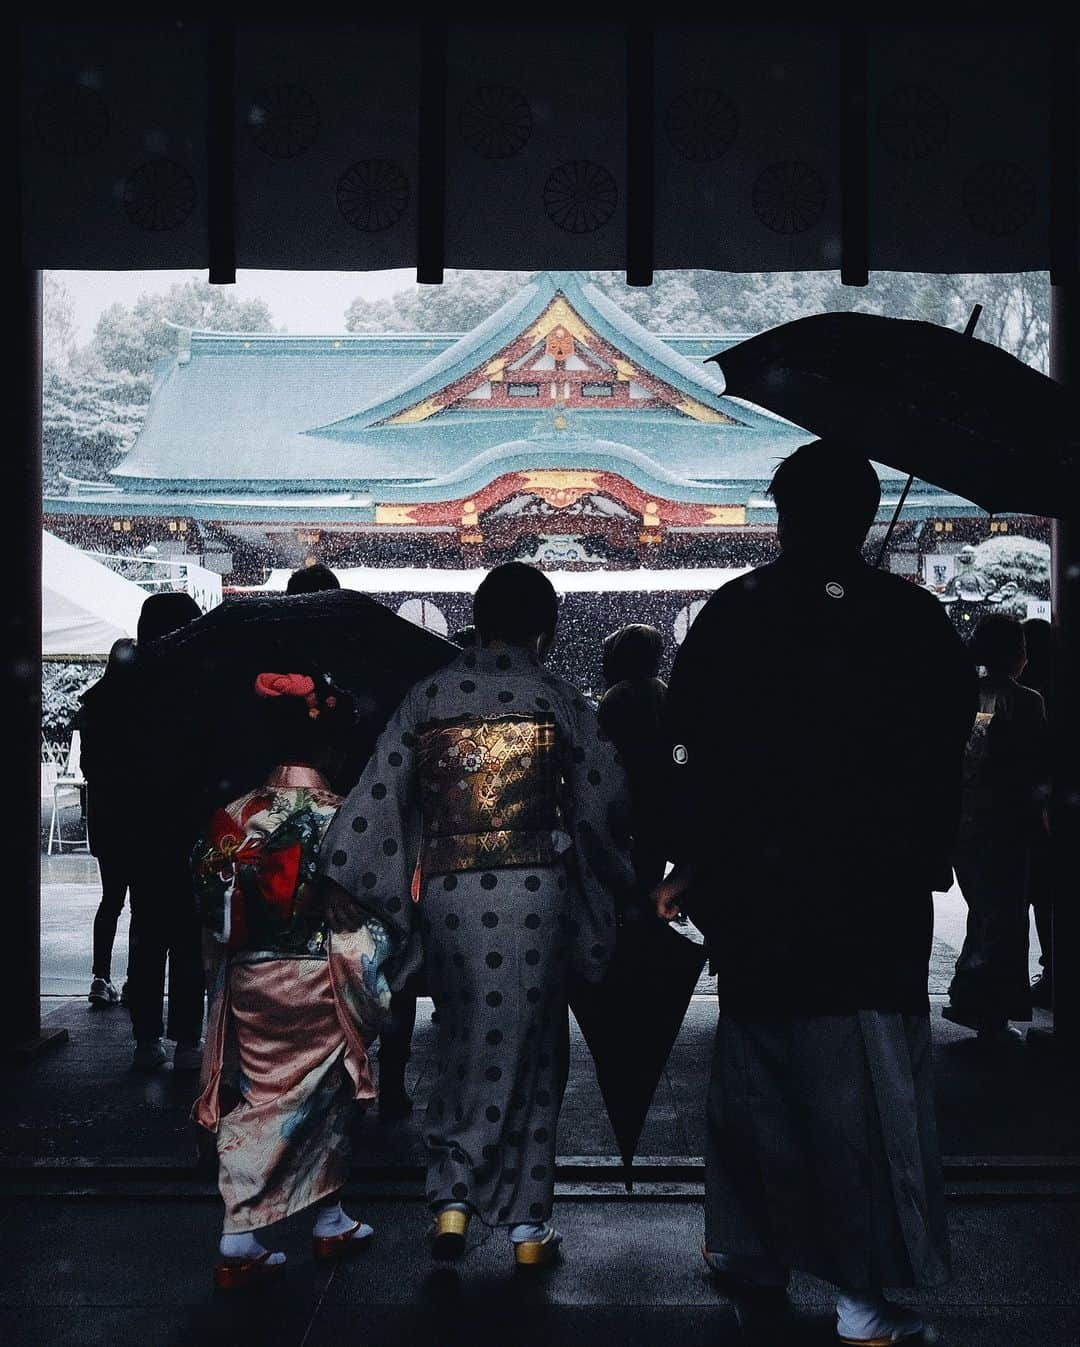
292 1006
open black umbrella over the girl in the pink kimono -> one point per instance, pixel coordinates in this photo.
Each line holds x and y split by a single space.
205 674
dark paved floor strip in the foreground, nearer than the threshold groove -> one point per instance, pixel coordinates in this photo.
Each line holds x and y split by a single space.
95 1271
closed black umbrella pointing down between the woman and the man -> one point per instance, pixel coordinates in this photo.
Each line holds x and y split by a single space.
632 1019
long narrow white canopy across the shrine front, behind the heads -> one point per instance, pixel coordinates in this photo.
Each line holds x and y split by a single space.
422 580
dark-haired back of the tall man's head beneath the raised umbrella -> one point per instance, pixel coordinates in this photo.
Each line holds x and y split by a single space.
829 487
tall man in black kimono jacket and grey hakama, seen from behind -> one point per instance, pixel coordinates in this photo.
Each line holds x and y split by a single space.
819 712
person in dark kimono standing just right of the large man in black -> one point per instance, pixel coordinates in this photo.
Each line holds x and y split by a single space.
1004 820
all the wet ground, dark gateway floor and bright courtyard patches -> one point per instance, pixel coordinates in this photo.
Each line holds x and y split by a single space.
108 1220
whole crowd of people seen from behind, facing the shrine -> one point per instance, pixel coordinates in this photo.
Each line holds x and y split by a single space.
826 754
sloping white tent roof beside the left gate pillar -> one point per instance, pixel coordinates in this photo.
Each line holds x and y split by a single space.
86 607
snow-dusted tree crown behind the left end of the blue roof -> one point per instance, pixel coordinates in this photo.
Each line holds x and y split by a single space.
134 340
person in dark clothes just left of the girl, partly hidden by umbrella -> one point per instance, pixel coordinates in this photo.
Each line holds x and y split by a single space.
166 814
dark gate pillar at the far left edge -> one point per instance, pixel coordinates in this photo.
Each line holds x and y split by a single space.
21 1022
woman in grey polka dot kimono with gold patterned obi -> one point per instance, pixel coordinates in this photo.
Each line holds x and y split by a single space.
495 778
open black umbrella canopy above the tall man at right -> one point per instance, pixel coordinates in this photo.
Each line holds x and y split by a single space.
931 402
